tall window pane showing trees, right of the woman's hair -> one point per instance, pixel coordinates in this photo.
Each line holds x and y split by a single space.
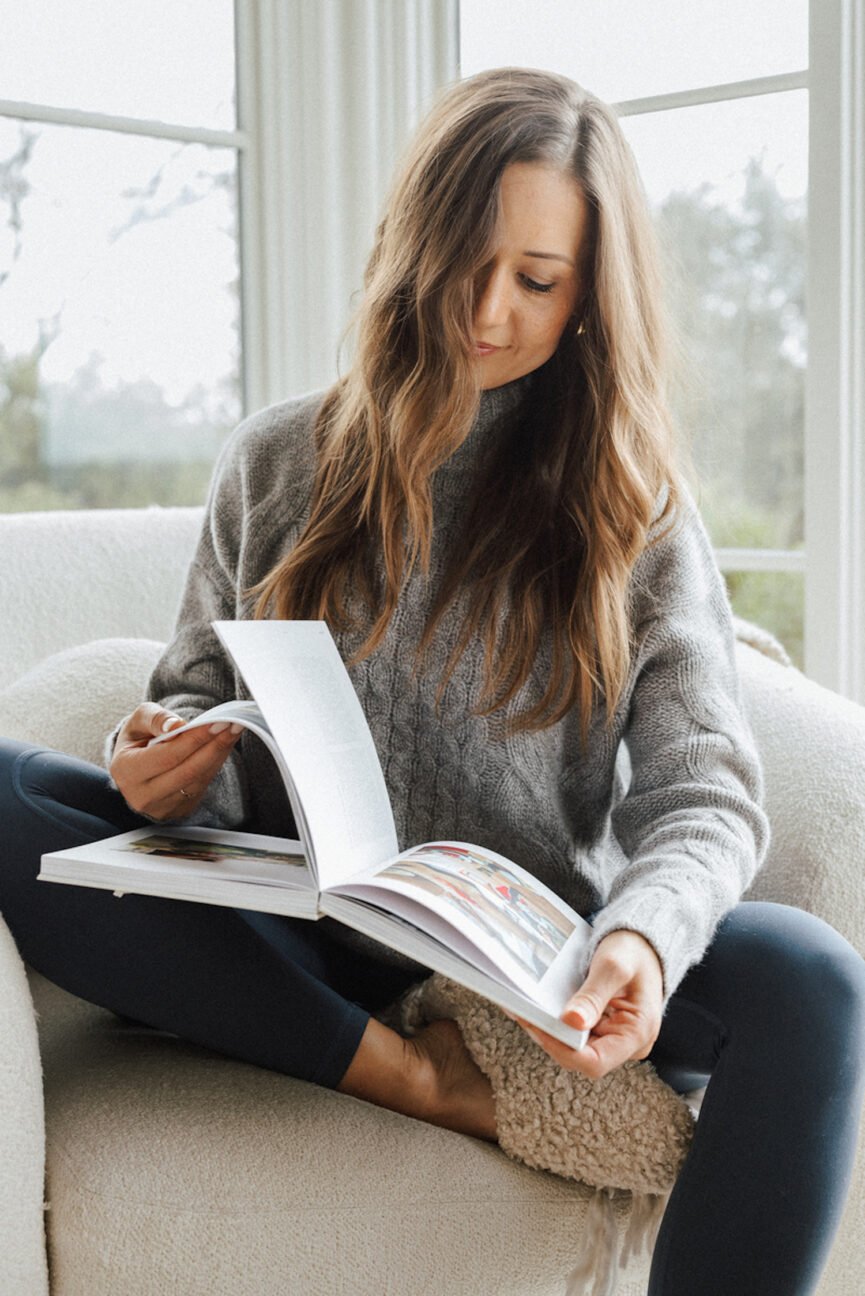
728 183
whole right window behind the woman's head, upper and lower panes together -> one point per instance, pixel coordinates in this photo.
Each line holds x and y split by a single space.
714 102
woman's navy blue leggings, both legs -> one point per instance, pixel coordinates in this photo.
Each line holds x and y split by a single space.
774 1019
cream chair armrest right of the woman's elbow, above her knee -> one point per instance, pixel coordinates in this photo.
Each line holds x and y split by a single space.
812 745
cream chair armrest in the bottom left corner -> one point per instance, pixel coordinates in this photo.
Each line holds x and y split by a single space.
23 1137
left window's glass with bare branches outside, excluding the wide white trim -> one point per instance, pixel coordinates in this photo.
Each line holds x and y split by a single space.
120 344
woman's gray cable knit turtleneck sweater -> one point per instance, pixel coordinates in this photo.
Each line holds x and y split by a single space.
657 829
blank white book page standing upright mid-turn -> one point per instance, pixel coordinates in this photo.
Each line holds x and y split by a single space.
295 673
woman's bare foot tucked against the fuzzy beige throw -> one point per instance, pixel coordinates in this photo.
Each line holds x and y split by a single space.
460 1094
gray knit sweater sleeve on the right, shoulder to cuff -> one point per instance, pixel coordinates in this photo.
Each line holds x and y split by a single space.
691 826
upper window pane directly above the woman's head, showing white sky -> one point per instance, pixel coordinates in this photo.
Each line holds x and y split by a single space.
631 49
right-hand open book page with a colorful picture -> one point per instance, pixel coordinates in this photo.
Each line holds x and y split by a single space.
477 900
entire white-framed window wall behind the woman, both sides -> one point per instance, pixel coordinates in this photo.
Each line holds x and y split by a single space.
123 168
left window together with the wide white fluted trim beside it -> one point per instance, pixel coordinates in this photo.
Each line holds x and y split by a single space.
138 174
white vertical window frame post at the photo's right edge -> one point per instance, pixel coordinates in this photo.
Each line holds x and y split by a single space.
836 397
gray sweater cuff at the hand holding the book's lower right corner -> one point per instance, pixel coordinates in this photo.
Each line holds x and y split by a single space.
654 914
